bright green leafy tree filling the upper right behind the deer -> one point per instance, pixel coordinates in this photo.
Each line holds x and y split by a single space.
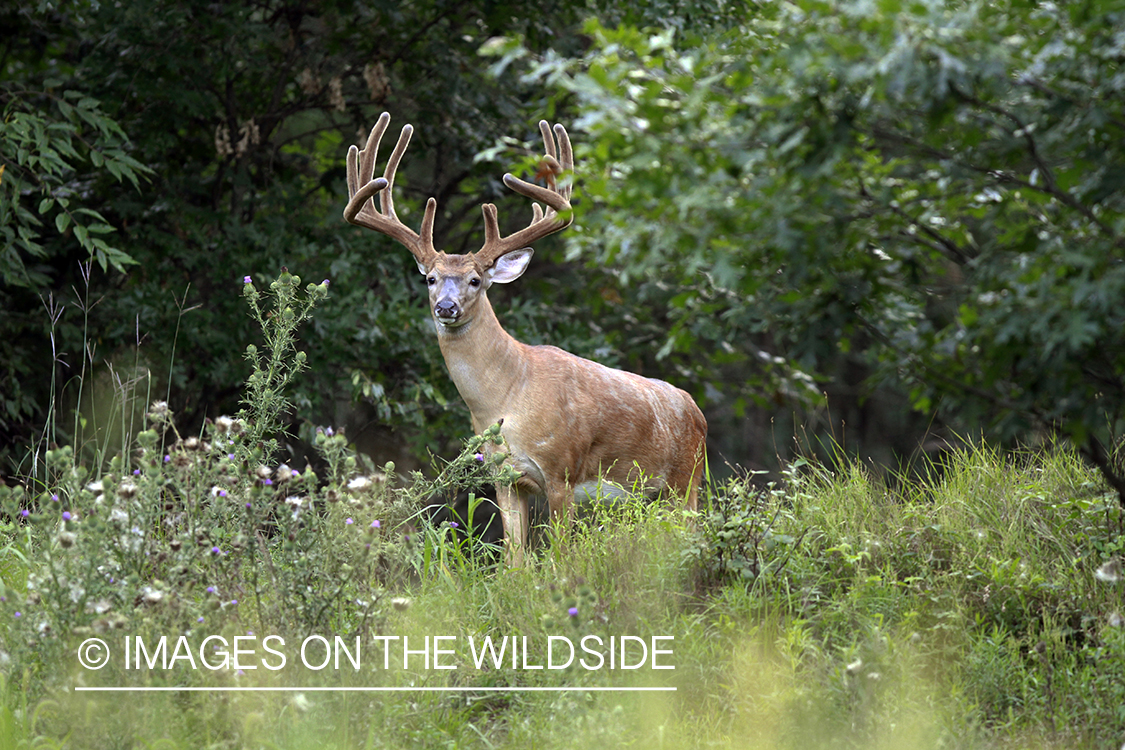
937 189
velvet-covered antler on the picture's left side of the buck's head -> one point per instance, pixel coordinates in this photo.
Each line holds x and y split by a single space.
362 189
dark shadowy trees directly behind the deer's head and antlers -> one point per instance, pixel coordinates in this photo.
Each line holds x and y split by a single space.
245 113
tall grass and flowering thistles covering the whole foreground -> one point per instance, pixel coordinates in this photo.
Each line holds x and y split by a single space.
978 609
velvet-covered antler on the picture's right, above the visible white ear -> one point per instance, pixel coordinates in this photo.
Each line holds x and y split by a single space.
556 218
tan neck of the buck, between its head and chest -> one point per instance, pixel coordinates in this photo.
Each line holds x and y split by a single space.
485 364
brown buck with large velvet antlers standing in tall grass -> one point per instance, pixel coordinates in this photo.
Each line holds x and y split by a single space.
572 428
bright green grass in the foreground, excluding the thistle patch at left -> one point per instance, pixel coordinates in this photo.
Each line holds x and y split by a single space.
964 613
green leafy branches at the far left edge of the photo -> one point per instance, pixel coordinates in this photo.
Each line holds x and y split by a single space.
60 153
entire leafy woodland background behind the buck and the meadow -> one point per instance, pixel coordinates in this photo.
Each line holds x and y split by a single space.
879 227
